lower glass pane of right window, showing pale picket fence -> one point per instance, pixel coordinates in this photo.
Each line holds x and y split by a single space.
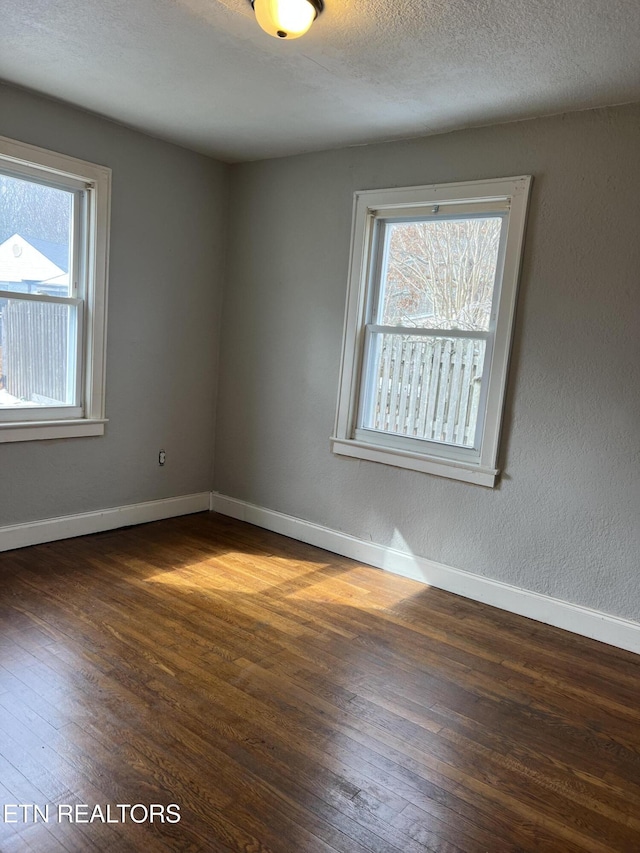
426 388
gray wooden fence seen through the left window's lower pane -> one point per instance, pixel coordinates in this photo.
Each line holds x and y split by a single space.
34 349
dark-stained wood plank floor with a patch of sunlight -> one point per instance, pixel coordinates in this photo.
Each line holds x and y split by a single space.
293 701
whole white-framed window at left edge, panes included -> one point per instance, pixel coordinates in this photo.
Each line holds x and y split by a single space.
54 217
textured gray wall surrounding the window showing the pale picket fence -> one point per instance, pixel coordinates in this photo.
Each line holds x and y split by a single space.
564 520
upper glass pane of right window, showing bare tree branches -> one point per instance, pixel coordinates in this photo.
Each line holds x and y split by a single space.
440 274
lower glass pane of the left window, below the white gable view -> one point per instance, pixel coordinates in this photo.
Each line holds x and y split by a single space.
37 357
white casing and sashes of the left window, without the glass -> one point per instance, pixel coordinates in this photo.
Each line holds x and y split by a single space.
90 187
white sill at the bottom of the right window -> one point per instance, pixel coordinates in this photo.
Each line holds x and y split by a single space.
416 462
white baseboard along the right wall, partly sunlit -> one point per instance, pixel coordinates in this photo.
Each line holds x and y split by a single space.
552 611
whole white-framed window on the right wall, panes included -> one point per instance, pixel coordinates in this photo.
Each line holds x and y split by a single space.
430 309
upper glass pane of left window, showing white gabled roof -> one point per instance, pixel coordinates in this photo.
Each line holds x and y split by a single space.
35 237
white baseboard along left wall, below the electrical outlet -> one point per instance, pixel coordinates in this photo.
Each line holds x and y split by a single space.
67 526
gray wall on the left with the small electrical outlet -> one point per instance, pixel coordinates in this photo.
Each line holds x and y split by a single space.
167 248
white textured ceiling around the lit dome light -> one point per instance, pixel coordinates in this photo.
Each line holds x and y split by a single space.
202 74
